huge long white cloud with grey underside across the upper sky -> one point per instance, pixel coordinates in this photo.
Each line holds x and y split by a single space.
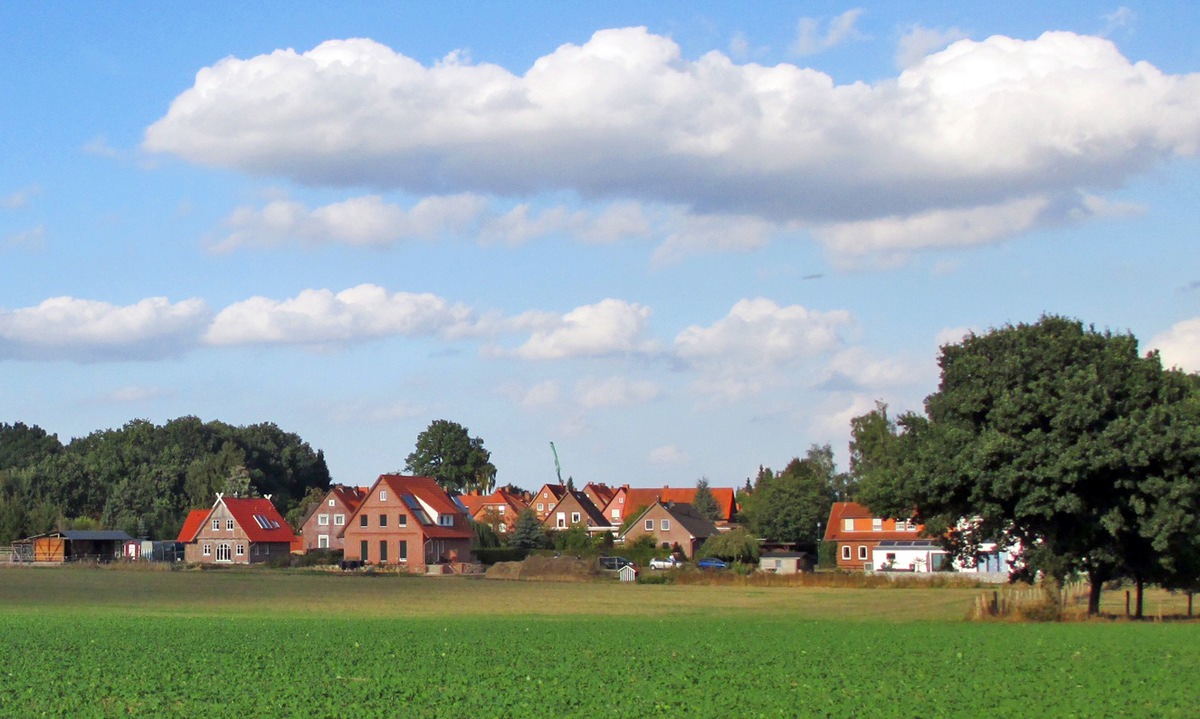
975 130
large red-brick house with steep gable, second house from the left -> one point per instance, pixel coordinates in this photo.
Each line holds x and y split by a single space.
409 523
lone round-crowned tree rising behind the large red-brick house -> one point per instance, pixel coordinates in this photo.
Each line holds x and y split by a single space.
457 460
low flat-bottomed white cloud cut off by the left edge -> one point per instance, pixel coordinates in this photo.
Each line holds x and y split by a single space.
89 331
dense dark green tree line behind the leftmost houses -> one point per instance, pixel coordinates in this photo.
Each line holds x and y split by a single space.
145 478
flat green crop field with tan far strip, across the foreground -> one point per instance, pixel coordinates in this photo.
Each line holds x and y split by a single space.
261 644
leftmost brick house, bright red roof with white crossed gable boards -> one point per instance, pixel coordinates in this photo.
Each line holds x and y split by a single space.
236 531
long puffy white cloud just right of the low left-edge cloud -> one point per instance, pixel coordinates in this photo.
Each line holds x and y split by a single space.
321 317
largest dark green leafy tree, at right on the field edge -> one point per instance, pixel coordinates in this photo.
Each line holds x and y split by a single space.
1048 436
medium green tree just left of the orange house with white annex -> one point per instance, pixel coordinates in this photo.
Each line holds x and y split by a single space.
789 507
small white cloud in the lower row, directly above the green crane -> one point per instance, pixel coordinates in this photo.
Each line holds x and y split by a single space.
610 327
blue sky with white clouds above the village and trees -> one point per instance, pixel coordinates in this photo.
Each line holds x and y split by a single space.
676 239
